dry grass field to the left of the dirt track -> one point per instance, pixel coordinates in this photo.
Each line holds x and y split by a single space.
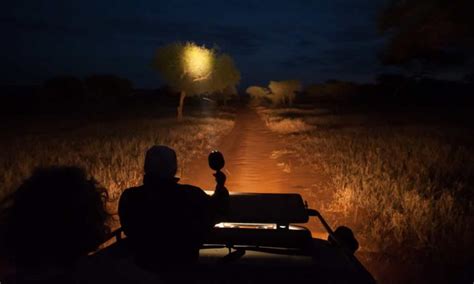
112 151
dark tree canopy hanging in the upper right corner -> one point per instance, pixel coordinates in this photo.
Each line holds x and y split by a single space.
427 32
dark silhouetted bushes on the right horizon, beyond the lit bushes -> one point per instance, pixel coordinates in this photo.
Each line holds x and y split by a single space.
392 90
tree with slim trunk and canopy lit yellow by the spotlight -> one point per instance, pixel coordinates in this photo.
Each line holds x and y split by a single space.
192 70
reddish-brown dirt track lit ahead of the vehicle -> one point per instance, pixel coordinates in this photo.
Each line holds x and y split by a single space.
255 163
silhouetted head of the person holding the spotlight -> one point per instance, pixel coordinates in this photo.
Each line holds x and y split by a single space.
161 163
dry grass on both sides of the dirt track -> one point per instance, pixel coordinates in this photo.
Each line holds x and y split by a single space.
402 181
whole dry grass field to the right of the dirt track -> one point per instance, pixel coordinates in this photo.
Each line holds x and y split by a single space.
405 185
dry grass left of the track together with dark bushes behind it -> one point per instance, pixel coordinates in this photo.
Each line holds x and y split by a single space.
106 135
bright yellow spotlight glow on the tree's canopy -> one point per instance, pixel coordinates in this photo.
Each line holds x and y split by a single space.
197 61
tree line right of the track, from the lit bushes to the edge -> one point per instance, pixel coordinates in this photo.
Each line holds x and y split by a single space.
388 88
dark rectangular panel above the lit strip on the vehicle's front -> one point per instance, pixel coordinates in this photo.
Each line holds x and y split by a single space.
275 208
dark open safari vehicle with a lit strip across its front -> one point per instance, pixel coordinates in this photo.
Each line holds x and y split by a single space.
262 240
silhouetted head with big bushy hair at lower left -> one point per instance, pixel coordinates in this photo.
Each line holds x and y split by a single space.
57 215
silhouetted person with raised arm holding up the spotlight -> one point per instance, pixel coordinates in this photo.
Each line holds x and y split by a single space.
165 221
